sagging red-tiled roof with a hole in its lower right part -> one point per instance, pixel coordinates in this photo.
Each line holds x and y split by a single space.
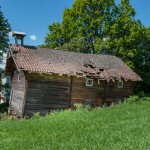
43 60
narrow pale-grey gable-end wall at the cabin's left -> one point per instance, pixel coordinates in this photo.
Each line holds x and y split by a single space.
18 92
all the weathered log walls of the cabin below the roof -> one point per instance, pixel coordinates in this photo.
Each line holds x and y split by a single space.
44 93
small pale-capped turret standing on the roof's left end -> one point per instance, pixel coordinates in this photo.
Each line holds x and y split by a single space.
18 36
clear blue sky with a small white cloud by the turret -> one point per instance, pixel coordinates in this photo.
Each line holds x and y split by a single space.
34 16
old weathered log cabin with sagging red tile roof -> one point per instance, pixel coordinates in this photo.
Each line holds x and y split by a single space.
45 79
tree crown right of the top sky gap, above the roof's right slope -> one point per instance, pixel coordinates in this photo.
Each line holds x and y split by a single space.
125 34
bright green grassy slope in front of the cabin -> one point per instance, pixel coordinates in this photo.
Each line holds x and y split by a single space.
121 127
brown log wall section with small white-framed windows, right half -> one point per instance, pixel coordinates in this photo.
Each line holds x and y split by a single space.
104 92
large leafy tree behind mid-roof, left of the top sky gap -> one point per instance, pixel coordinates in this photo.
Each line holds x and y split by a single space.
87 18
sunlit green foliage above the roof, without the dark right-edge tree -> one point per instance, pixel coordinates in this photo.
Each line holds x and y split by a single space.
93 21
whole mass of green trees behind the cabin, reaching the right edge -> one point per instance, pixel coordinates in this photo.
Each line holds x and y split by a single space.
103 27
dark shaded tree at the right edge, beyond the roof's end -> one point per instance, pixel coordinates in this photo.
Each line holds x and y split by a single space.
142 61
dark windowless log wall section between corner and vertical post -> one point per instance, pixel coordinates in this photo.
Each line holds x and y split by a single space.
46 93
